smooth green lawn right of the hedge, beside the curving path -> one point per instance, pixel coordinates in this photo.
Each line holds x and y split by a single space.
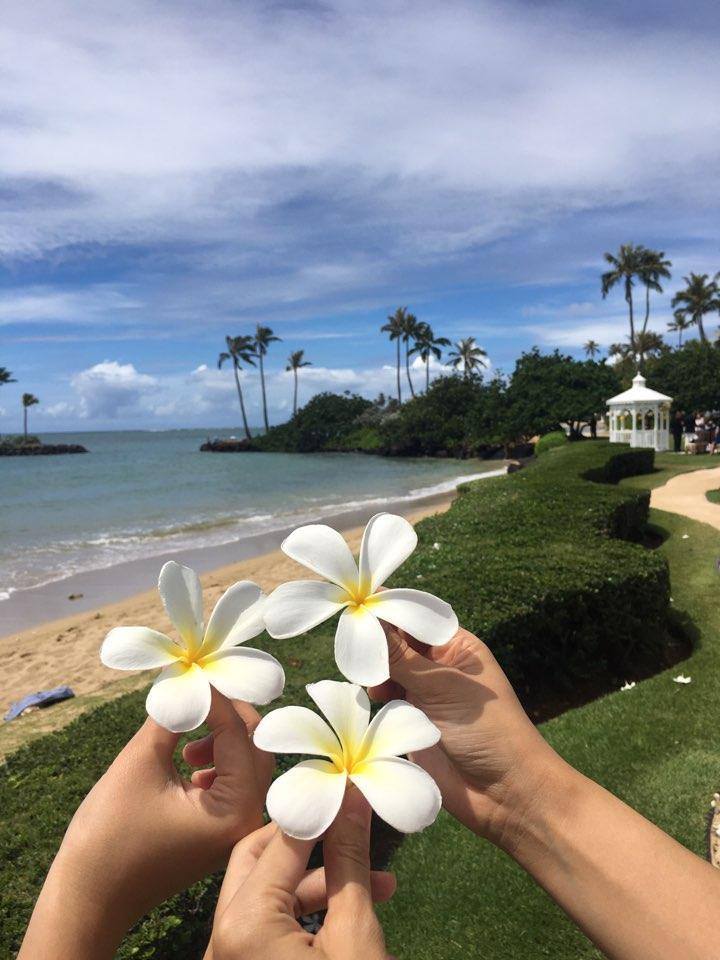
654 746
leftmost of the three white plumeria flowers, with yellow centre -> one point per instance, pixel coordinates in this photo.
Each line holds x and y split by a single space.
179 700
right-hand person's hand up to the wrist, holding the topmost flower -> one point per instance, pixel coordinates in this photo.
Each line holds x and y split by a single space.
491 760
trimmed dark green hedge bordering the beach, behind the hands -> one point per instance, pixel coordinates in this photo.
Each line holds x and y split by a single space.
531 562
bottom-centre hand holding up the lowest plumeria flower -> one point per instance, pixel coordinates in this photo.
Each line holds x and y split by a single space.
267 885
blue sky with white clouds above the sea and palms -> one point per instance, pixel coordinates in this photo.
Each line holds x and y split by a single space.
169 175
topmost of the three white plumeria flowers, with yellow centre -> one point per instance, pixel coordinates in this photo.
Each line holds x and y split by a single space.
360 647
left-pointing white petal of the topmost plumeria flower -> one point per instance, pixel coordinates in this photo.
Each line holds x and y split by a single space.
300 605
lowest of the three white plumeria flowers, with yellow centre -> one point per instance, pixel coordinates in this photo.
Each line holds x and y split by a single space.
305 800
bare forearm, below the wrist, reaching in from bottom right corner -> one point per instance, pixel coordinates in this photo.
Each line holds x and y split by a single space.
634 891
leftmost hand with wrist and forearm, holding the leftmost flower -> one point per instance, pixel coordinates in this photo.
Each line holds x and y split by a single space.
143 833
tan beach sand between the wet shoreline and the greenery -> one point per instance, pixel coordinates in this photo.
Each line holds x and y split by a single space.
66 651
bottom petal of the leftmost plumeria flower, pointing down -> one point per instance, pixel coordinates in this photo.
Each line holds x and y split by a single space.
179 700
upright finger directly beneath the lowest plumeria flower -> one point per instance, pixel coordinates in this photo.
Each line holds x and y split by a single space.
346 852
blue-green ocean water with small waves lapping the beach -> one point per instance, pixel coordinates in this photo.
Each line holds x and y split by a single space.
140 494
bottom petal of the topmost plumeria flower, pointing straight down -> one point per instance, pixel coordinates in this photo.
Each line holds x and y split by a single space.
361 648
